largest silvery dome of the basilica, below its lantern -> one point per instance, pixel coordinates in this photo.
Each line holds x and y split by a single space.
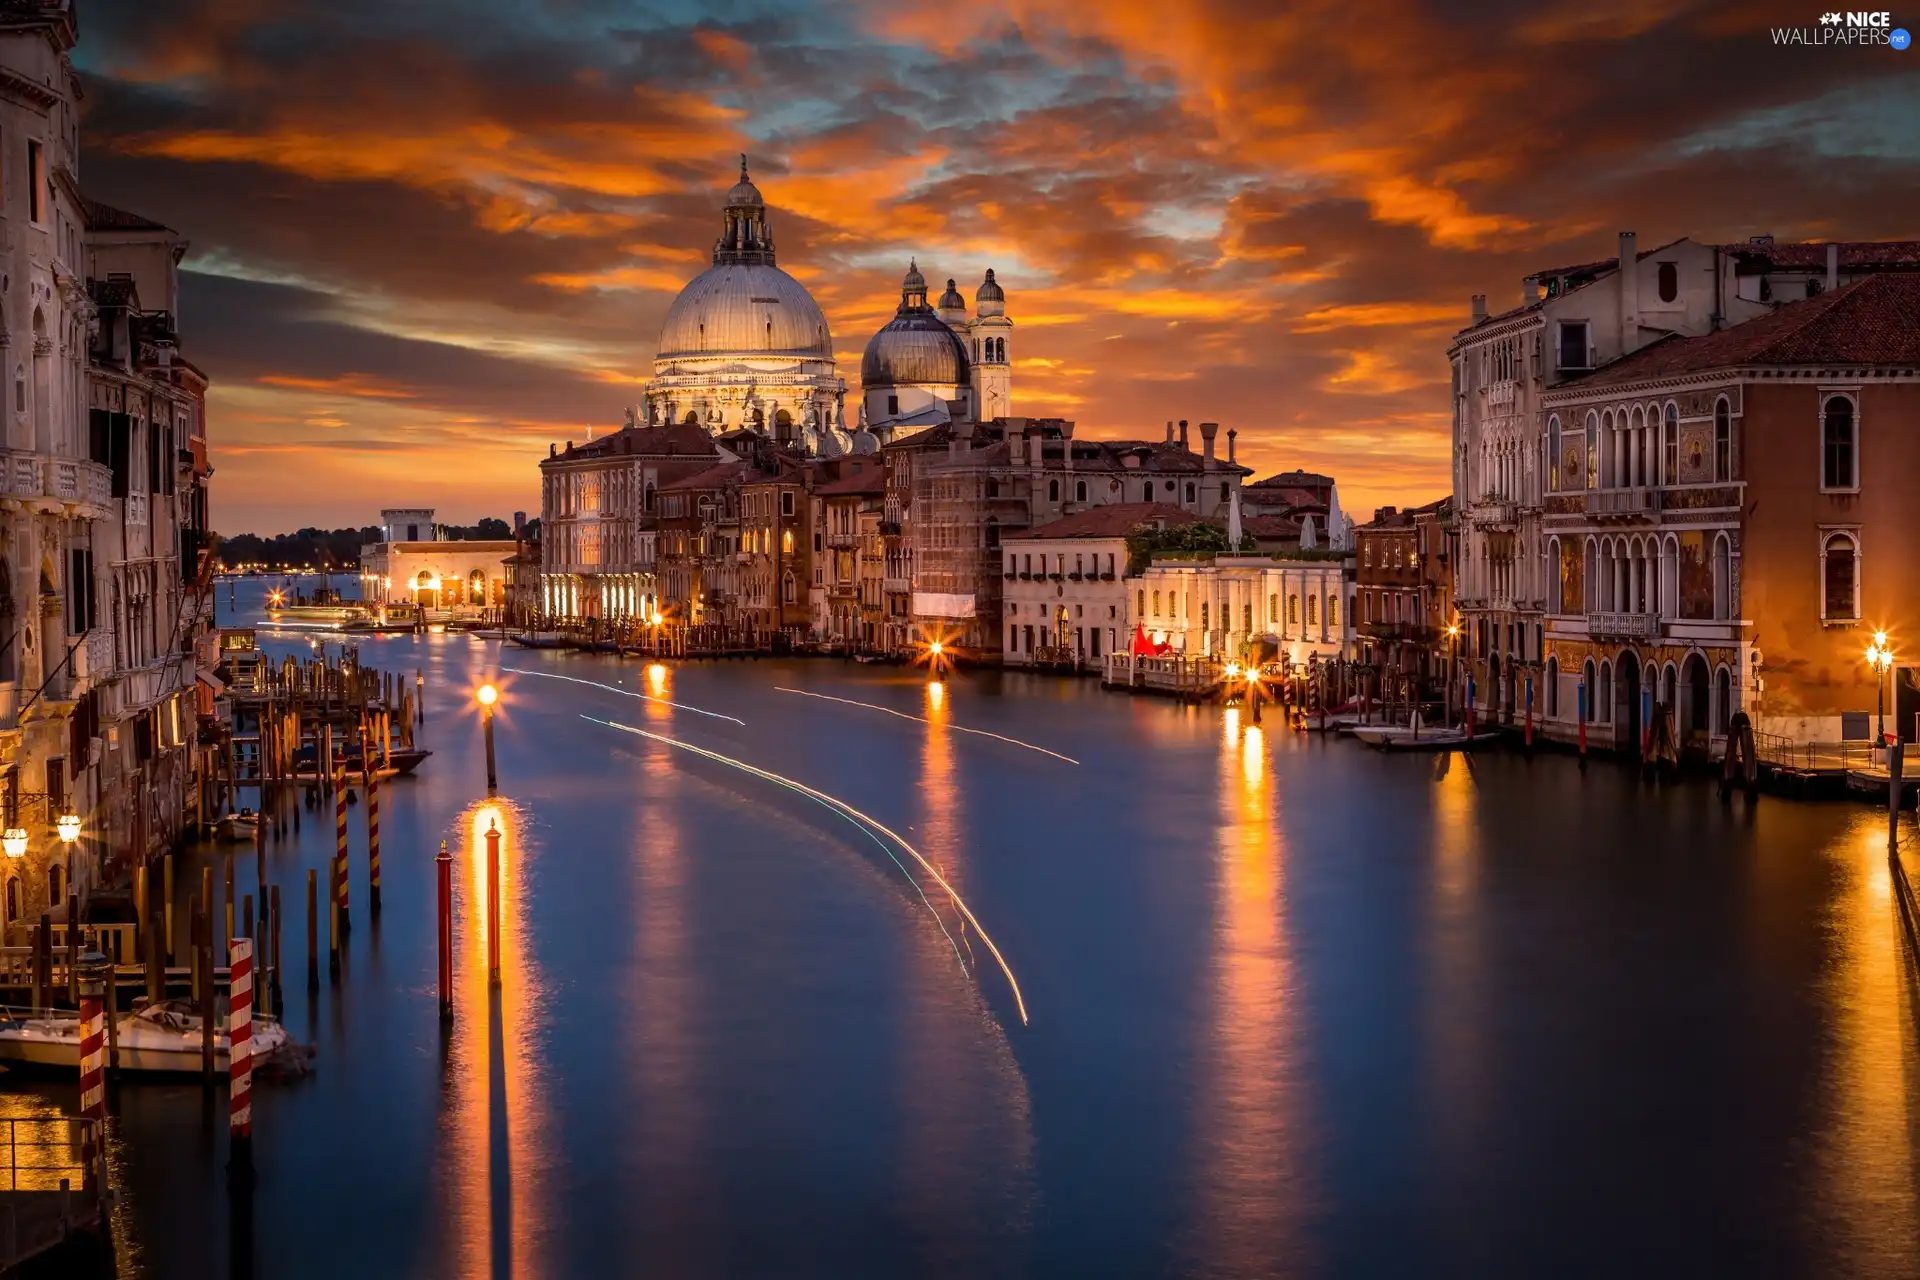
744 310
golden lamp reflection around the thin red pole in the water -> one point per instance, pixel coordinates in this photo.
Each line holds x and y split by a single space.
494 1158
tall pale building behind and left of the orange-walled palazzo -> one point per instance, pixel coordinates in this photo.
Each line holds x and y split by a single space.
1573 321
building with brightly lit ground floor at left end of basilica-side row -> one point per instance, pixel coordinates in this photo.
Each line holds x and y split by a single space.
600 517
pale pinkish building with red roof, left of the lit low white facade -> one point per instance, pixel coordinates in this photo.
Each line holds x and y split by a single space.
1065 596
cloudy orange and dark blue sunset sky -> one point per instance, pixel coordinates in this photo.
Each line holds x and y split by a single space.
433 237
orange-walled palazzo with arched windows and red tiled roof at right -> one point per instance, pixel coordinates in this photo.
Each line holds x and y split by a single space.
1727 527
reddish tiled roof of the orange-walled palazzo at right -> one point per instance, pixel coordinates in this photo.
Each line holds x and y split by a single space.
1875 321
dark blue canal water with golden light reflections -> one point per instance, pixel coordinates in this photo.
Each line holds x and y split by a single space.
1293 1008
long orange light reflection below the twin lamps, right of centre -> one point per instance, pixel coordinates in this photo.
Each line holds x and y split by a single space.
1253 1150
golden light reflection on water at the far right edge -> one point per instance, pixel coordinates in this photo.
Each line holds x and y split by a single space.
1869 1166
